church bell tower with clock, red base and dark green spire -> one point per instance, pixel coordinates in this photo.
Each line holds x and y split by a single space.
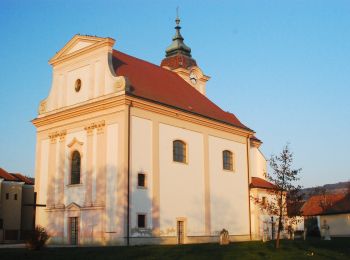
178 58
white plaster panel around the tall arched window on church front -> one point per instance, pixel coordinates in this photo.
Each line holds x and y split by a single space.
75 193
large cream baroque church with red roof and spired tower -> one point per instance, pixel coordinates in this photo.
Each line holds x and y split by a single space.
129 152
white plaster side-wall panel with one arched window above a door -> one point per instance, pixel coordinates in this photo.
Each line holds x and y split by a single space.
181 185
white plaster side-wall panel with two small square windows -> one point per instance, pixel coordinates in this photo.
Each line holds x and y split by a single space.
141 161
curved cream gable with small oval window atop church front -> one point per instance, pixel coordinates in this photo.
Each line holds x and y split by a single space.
82 71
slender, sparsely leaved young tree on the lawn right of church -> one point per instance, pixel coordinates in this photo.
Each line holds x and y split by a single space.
286 190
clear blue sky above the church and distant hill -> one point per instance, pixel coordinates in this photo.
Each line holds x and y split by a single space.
283 67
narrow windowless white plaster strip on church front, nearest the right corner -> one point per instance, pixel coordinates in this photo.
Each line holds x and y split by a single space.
111 185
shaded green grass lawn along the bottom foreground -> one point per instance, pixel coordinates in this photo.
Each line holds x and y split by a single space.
311 249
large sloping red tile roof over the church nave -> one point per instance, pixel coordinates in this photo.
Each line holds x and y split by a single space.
154 83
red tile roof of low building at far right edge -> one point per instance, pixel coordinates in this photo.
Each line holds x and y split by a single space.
326 204
